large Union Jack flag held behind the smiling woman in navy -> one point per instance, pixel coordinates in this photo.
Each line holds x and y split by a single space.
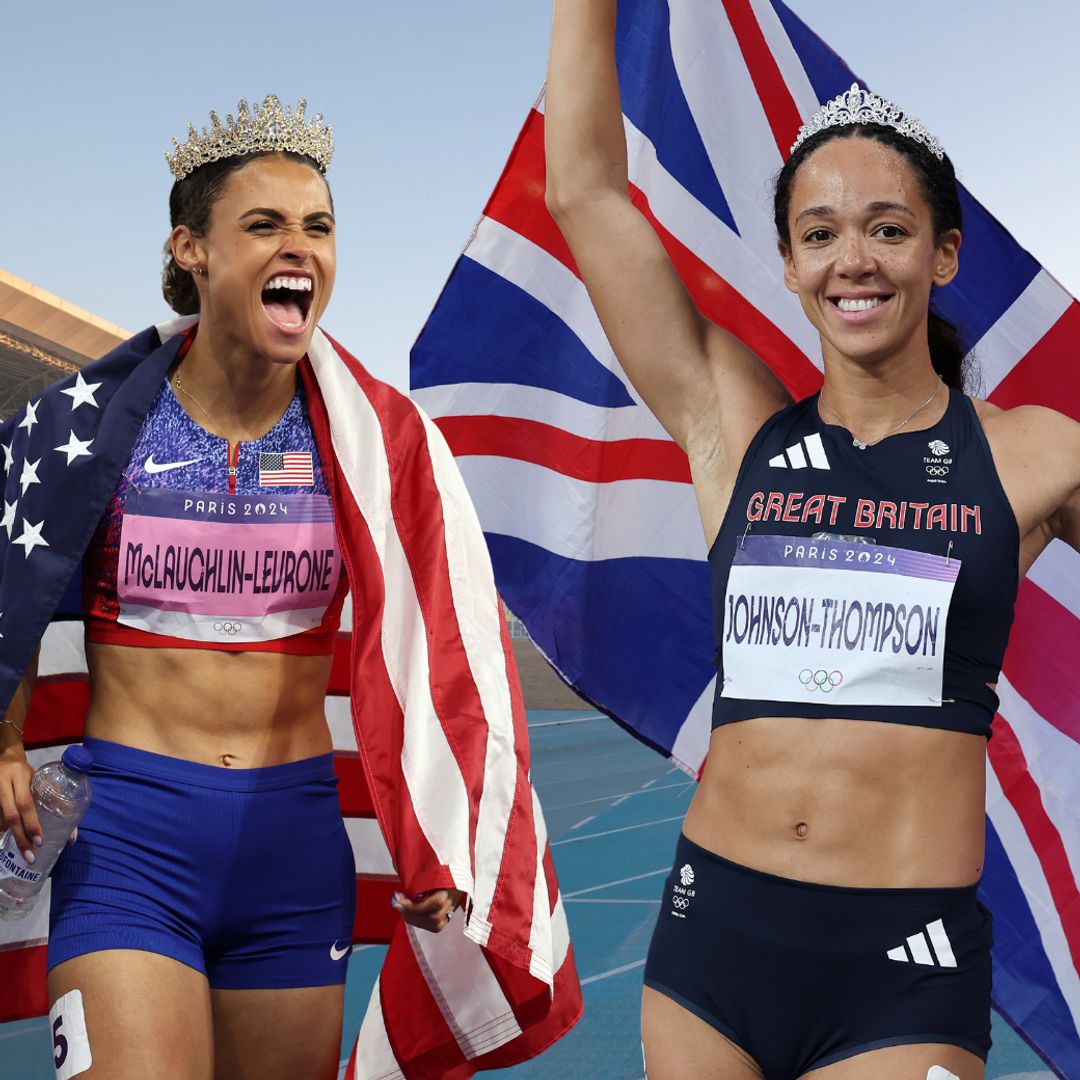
587 504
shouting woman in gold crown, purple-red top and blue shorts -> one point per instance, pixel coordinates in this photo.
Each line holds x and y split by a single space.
205 916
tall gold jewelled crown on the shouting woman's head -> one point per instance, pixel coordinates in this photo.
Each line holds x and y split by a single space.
267 128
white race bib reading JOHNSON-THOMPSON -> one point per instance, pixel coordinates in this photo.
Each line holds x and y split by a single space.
823 620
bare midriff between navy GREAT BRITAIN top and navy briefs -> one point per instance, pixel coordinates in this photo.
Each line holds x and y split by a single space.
847 803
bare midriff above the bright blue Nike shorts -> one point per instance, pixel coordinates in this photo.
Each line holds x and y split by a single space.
235 710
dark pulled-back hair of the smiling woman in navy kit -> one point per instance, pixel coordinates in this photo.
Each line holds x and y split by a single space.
938 180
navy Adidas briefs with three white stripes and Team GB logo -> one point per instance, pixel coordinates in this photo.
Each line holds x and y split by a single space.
801 976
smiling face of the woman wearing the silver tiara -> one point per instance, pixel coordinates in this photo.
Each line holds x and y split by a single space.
863 253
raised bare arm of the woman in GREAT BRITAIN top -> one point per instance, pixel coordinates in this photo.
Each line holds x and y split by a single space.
708 389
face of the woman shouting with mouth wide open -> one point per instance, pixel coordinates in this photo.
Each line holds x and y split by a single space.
268 258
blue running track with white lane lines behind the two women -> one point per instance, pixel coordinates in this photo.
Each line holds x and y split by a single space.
614 811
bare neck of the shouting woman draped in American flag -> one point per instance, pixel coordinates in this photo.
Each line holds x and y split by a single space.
231 390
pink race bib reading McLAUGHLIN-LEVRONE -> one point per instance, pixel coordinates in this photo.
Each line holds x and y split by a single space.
233 568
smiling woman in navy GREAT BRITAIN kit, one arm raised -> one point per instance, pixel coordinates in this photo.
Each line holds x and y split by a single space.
821 916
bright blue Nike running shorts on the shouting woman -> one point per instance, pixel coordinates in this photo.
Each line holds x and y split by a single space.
246 875
